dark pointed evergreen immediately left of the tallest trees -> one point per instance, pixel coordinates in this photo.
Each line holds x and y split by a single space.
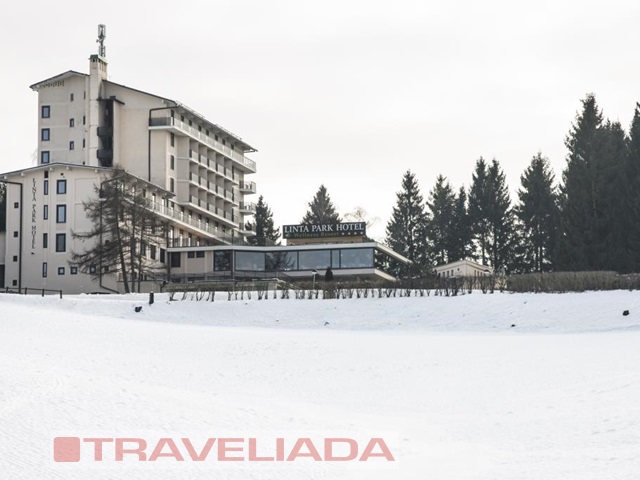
537 213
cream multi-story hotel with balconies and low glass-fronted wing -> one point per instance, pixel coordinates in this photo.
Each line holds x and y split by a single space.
194 173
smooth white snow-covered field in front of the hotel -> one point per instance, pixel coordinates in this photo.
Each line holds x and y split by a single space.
454 389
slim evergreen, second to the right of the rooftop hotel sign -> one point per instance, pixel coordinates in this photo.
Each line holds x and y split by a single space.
440 233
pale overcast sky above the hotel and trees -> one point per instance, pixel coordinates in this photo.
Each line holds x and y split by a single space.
346 93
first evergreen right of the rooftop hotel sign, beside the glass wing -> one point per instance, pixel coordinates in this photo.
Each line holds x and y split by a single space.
406 230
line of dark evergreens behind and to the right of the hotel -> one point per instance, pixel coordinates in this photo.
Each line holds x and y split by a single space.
589 220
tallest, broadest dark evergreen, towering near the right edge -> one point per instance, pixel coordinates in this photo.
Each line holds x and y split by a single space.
595 195
